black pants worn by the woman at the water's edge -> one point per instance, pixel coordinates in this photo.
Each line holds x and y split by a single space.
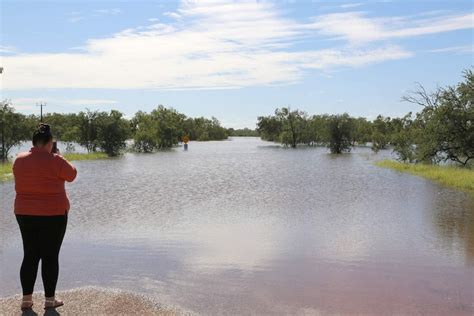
42 238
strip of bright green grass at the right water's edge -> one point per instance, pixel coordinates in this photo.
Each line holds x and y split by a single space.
455 177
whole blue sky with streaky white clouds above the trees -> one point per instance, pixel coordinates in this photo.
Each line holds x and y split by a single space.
233 60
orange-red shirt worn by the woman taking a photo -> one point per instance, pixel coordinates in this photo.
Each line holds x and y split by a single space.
39 183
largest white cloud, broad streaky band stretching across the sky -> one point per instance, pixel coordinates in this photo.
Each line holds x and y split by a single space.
220 45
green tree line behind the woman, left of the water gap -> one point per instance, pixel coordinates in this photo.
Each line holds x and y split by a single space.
108 131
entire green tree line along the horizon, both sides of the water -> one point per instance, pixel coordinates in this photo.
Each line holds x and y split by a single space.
442 131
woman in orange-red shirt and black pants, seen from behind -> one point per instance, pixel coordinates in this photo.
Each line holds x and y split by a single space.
41 207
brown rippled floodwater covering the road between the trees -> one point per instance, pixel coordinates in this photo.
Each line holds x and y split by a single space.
247 227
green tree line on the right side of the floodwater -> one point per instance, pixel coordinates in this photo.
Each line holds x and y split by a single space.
442 131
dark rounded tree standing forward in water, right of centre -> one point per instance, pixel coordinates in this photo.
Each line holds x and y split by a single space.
340 129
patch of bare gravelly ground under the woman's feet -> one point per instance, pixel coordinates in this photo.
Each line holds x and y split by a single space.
89 301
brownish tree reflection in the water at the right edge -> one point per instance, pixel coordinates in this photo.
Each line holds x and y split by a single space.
454 220
